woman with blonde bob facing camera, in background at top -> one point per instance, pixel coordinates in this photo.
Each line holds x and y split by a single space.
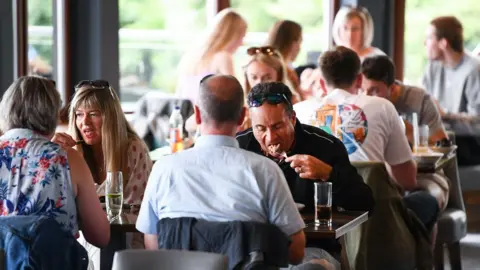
353 28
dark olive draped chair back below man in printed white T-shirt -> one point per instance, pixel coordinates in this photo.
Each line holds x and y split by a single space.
384 241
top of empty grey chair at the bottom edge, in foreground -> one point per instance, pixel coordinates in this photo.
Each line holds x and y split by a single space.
168 259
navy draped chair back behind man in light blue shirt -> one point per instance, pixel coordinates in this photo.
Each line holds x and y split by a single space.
247 244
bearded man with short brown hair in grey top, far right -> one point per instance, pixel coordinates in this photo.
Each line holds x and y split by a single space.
452 76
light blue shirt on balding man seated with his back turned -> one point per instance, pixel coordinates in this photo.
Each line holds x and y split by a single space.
218 181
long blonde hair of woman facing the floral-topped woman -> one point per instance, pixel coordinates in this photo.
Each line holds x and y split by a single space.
117 134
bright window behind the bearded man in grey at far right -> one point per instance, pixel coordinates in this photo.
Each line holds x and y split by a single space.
419 13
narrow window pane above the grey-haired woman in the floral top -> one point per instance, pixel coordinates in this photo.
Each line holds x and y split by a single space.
40 38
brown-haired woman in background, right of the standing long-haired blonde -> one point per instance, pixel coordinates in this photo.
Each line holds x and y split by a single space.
286 37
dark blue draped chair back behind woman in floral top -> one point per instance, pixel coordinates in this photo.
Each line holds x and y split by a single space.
38 242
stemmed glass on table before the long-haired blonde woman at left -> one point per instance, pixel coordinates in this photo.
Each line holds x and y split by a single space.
114 195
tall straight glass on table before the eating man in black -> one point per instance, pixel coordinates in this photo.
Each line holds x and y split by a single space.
323 203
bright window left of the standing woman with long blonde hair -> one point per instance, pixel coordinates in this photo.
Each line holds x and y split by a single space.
154 34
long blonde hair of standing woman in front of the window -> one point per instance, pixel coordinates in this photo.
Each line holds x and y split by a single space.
228 26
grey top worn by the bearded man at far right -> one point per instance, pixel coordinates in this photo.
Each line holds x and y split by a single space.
456 89
